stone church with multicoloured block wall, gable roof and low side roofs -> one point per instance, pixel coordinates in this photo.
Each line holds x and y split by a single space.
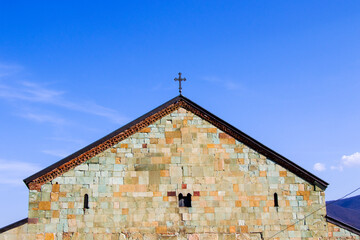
177 172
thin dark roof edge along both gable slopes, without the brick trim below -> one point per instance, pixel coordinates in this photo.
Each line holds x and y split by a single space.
257 146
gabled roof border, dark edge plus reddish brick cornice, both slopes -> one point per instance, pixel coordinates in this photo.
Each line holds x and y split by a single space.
38 179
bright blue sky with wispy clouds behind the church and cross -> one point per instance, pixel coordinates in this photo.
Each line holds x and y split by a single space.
285 72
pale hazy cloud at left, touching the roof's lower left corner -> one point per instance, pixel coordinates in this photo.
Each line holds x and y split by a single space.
12 172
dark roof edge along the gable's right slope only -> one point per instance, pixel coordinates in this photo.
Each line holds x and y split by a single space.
267 151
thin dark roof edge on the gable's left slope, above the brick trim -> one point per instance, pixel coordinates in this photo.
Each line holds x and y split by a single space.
101 140
